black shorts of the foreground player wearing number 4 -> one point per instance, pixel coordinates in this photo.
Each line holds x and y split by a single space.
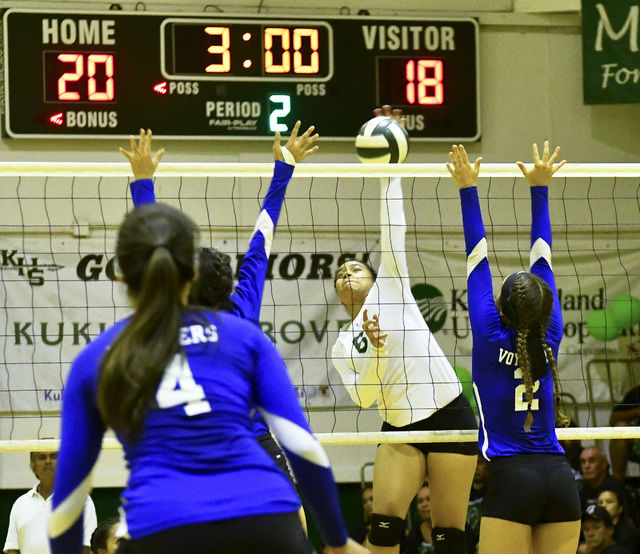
266 534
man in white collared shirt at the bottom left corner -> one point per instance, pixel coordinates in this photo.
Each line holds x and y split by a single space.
29 516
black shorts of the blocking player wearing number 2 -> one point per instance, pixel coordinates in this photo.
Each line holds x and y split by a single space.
530 489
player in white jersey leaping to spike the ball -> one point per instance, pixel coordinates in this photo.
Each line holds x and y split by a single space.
388 355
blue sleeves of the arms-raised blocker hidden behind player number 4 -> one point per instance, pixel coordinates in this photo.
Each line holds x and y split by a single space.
247 295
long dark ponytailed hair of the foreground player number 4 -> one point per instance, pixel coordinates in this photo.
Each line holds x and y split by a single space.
155 249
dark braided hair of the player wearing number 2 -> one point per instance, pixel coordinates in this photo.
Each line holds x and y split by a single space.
527 302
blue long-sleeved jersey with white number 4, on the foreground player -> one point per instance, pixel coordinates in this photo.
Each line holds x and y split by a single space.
197 459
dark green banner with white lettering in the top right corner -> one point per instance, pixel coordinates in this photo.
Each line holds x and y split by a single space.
611 59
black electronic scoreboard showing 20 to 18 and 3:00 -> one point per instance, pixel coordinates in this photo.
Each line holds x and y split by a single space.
88 74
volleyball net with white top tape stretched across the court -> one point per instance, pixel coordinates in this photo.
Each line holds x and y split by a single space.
59 223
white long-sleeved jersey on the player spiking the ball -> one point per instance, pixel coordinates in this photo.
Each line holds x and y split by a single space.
410 377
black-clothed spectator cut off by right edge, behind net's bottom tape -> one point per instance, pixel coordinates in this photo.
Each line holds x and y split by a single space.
622 451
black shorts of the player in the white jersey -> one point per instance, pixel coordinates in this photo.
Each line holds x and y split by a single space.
458 414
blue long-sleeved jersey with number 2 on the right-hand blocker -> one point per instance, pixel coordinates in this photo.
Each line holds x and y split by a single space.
497 381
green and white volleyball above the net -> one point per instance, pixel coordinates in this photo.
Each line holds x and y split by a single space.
382 140
